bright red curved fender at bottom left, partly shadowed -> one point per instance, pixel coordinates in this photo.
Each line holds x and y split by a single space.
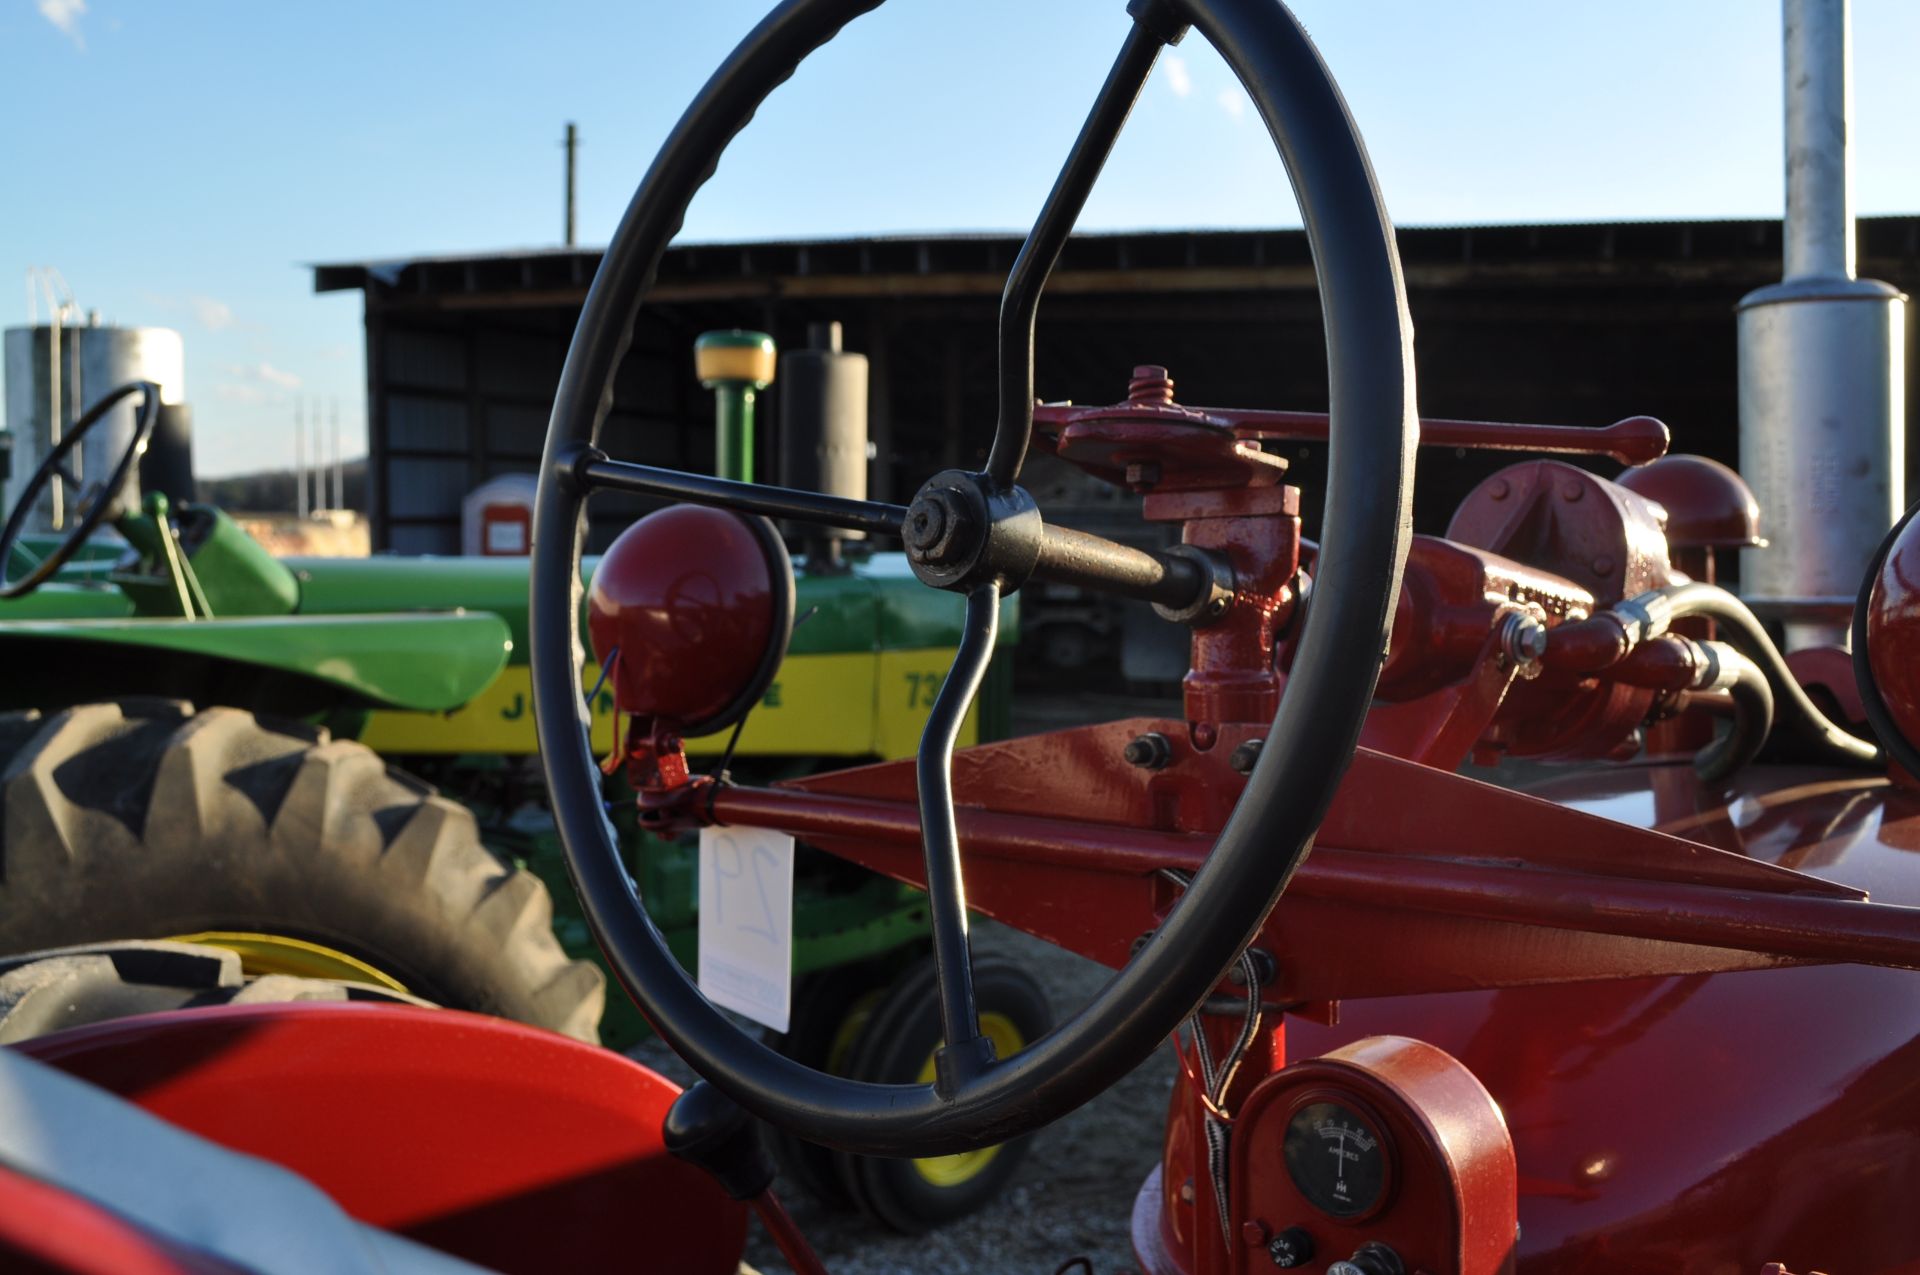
492 1142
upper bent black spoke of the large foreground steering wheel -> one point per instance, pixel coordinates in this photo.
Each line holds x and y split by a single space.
1020 302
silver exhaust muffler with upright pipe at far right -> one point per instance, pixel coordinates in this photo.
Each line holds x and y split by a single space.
1823 381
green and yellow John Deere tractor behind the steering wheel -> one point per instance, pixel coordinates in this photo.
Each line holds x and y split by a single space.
203 742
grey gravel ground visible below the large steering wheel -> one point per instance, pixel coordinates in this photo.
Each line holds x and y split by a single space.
1072 1197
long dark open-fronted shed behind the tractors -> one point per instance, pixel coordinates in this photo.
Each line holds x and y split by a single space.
1552 324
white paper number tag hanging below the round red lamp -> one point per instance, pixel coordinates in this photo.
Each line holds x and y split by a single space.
748 923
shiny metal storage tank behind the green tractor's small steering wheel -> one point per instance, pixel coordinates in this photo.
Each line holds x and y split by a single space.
55 373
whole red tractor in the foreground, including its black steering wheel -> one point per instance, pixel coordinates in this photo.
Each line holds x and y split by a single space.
1652 1017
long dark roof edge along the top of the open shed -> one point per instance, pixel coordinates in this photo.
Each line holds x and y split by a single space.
1122 262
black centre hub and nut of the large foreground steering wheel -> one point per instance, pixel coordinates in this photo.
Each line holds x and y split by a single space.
963 531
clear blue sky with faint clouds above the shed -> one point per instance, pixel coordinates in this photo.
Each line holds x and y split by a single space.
183 164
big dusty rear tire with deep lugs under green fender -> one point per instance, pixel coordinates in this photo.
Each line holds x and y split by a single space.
147 821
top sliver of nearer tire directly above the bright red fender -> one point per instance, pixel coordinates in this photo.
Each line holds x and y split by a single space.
93 984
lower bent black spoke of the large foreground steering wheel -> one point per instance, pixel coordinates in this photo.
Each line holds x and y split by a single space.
967 1051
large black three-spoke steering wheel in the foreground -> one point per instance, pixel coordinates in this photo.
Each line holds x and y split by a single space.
1364 541
